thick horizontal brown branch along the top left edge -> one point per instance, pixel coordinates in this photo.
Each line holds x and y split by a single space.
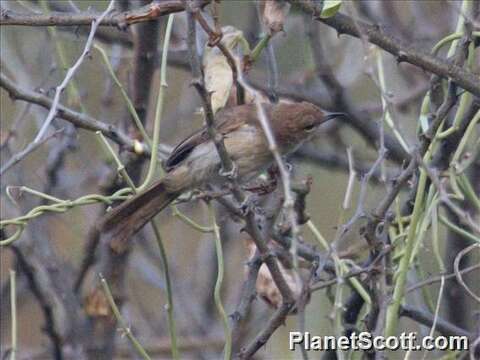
145 13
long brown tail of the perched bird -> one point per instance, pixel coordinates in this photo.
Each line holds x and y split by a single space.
129 217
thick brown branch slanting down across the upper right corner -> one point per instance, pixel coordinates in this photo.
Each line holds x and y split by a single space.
403 52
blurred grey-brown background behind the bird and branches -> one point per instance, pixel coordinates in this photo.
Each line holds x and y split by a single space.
311 62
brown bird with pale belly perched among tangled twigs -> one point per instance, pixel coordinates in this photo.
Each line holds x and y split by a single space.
195 160
